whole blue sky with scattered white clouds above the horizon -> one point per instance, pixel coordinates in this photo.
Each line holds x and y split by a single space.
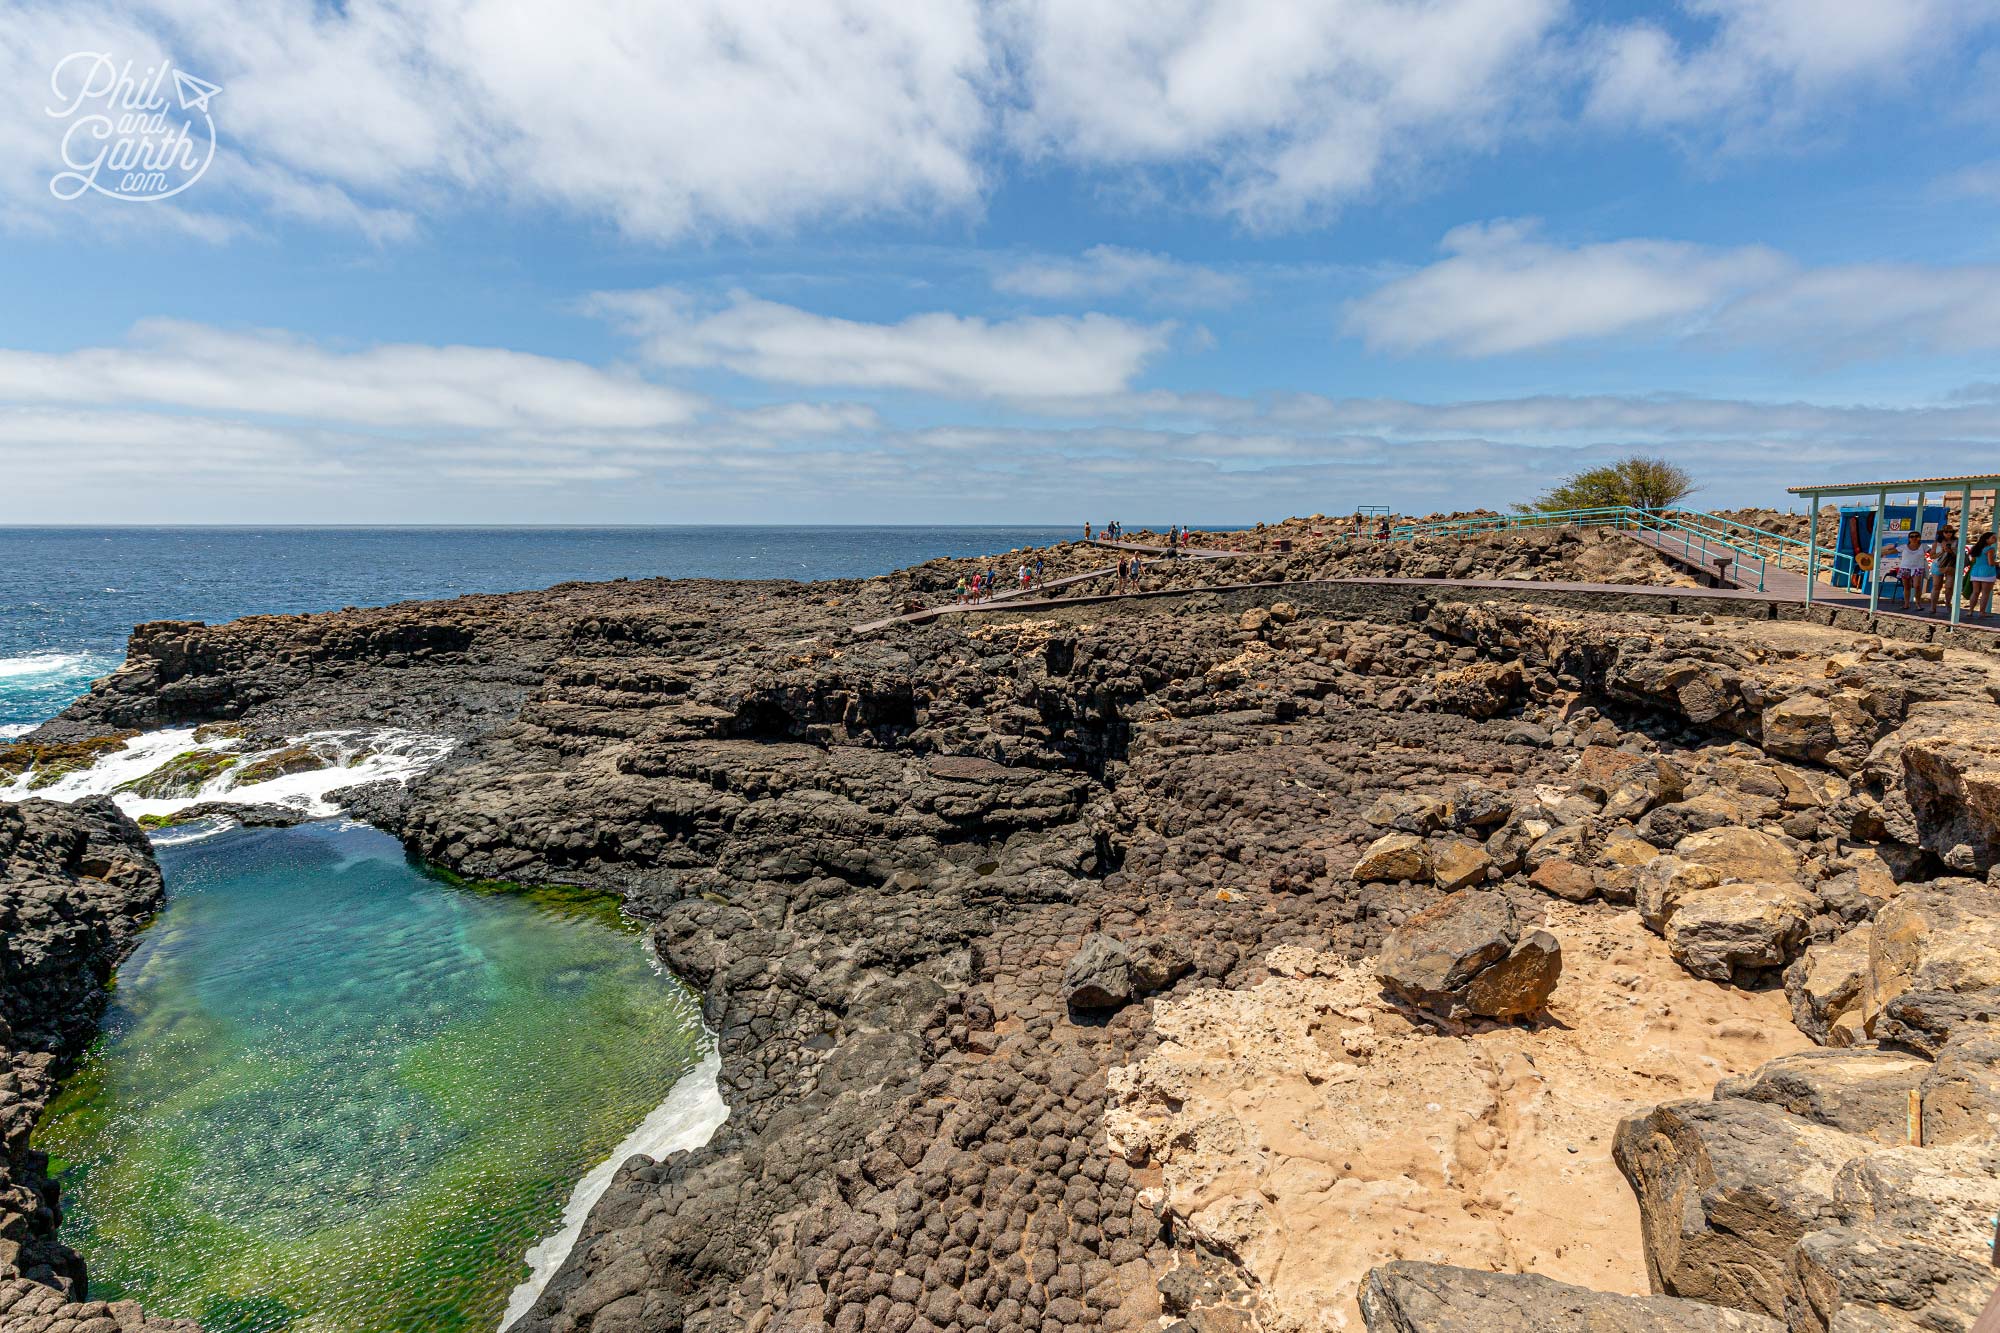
1035 261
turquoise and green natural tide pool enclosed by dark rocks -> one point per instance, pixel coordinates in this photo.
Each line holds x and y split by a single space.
341 1096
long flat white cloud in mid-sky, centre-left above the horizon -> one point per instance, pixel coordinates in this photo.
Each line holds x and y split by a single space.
1035 357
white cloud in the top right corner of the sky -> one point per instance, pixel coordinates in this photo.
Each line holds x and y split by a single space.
1769 63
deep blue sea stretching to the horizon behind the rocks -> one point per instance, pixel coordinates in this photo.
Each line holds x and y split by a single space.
69 597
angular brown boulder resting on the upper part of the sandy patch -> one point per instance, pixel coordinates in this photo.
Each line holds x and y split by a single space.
1469 958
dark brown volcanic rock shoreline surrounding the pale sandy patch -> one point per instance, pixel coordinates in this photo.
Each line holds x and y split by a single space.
881 858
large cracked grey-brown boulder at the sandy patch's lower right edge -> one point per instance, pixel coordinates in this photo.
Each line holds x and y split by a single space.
1725 1192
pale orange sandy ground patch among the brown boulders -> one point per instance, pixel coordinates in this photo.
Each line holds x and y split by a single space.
1315 1132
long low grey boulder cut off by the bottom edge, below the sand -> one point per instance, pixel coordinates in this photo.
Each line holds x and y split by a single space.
1437 1298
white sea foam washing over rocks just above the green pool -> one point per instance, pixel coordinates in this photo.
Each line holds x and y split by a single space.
353 758
